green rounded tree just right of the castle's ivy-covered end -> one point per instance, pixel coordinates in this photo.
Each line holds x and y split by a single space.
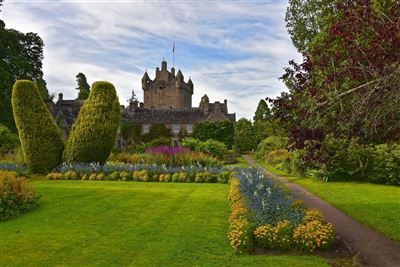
244 135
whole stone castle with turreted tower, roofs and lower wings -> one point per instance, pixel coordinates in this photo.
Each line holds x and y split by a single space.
167 99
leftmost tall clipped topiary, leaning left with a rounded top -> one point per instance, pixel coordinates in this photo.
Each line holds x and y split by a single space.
39 135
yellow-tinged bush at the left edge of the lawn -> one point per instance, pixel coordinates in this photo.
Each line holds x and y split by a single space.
16 196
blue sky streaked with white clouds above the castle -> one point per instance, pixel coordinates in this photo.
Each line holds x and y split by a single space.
233 50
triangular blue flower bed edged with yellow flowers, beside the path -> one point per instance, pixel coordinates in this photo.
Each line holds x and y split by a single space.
264 213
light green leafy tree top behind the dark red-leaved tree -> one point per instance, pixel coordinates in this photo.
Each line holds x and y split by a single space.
305 19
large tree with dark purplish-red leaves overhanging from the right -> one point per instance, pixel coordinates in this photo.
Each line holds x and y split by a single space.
347 85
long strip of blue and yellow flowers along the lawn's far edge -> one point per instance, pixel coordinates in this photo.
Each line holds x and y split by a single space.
141 172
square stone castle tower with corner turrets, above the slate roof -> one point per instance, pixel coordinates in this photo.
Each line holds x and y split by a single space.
167 90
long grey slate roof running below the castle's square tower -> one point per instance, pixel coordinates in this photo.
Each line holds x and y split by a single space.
162 115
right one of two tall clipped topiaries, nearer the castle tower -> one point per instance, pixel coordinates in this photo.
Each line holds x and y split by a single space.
94 132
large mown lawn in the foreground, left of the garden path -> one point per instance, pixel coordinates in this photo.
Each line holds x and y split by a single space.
101 223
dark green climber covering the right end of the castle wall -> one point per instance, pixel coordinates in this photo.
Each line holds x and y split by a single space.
220 131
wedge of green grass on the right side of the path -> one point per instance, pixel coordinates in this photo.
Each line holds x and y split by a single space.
377 206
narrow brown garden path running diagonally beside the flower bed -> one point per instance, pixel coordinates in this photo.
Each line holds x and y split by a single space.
373 248
